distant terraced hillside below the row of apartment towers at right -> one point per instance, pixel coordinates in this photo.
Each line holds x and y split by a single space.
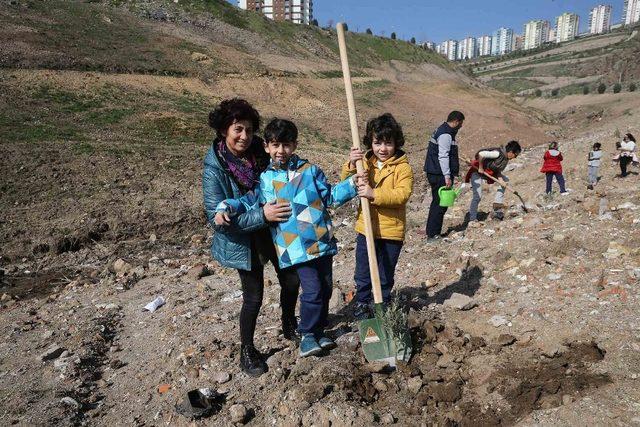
564 80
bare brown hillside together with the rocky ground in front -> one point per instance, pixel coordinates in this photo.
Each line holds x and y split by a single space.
103 130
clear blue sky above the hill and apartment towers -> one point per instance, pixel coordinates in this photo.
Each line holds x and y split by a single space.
438 21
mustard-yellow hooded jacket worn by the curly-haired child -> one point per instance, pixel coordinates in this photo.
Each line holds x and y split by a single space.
392 186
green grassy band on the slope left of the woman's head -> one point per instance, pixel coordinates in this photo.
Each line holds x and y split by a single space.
46 114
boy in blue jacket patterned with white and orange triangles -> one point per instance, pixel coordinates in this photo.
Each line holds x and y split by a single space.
305 241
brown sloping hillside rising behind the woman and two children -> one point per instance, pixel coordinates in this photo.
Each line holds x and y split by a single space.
106 104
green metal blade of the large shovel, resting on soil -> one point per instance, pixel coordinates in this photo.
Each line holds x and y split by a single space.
379 343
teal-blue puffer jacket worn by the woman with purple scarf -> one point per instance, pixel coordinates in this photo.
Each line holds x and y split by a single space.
231 245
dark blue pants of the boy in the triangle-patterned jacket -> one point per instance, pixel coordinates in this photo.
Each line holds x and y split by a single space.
316 281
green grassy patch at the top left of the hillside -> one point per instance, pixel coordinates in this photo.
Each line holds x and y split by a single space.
92 37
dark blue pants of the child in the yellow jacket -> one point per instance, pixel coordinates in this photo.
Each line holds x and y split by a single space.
387 253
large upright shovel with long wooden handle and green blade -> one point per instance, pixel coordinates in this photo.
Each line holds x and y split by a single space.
382 339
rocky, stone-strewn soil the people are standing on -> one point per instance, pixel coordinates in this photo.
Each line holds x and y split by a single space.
532 320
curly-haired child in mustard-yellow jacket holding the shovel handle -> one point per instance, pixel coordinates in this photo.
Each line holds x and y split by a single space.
389 186
